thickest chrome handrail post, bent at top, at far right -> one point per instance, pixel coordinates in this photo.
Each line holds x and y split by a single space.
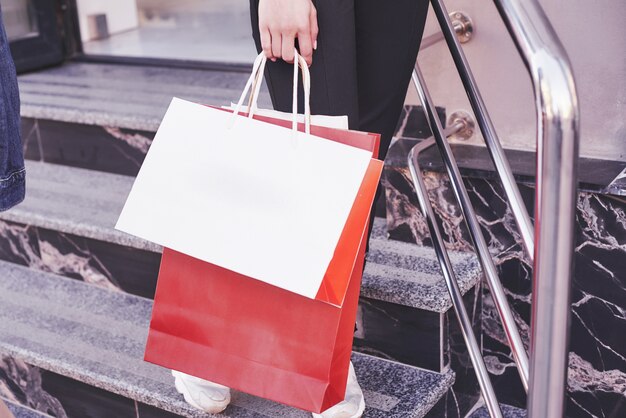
558 120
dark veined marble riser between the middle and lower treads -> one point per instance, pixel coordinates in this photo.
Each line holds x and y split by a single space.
408 335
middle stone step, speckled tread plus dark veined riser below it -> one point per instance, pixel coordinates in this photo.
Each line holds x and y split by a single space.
65 226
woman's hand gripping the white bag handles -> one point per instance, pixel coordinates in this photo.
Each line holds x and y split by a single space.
281 22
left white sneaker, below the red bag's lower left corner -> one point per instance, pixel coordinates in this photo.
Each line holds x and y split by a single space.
202 394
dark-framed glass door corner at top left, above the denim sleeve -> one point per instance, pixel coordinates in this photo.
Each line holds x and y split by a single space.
33 30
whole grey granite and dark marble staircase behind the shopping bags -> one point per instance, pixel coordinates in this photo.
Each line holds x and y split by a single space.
76 293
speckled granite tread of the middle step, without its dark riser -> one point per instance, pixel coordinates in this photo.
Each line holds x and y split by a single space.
87 203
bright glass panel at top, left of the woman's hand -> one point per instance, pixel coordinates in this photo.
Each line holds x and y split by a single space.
215 31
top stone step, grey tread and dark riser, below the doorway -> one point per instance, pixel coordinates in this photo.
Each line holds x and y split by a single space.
104 116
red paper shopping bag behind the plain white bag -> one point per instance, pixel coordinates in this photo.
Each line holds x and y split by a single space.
228 328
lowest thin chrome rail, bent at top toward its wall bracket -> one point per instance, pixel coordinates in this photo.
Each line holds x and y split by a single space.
475 354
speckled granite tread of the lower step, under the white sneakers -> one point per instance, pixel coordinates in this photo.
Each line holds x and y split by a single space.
97 336
